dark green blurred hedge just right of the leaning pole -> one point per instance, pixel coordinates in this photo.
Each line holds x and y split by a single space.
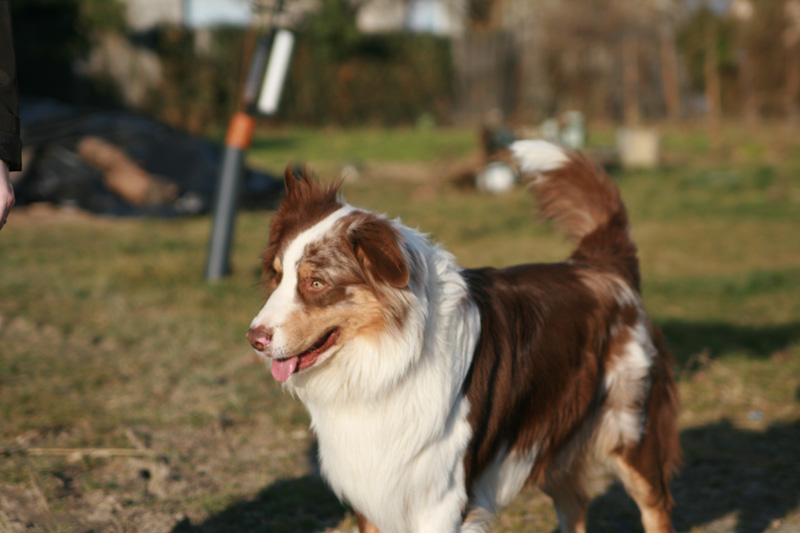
380 80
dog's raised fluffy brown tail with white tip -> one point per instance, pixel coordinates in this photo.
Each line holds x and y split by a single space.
584 203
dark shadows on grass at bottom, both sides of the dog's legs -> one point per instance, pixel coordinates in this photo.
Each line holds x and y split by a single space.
748 479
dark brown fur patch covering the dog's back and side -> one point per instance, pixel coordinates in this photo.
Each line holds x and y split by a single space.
535 377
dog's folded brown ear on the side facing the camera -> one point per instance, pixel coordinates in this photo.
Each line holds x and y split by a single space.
377 247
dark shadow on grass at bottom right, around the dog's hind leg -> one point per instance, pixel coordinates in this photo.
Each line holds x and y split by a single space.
747 479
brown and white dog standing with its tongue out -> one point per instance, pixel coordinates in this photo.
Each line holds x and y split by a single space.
437 392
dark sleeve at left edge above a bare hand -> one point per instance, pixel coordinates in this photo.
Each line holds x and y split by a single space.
10 143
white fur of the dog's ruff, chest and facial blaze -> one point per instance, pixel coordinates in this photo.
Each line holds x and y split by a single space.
388 412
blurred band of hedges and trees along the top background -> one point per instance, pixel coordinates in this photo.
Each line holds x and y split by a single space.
341 76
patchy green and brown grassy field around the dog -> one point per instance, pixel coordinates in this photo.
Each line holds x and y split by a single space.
130 401
